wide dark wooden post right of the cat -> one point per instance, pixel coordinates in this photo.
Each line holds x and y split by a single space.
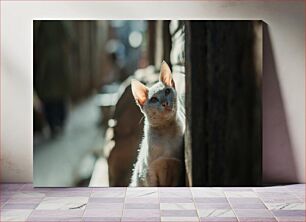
223 104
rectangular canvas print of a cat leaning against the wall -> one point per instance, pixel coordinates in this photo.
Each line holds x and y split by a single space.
147 103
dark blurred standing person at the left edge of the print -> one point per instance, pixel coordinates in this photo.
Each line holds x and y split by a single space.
51 72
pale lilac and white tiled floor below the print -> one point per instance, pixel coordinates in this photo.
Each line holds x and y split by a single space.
21 202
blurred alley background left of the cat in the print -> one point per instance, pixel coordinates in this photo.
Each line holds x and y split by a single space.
78 67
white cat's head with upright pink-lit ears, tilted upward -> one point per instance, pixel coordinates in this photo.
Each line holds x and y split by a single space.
159 102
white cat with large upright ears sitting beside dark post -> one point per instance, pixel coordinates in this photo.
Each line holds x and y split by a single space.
160 158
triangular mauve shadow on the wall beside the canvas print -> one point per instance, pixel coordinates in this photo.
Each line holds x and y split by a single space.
278 161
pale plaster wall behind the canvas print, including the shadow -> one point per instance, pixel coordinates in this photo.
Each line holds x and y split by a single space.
283 86
